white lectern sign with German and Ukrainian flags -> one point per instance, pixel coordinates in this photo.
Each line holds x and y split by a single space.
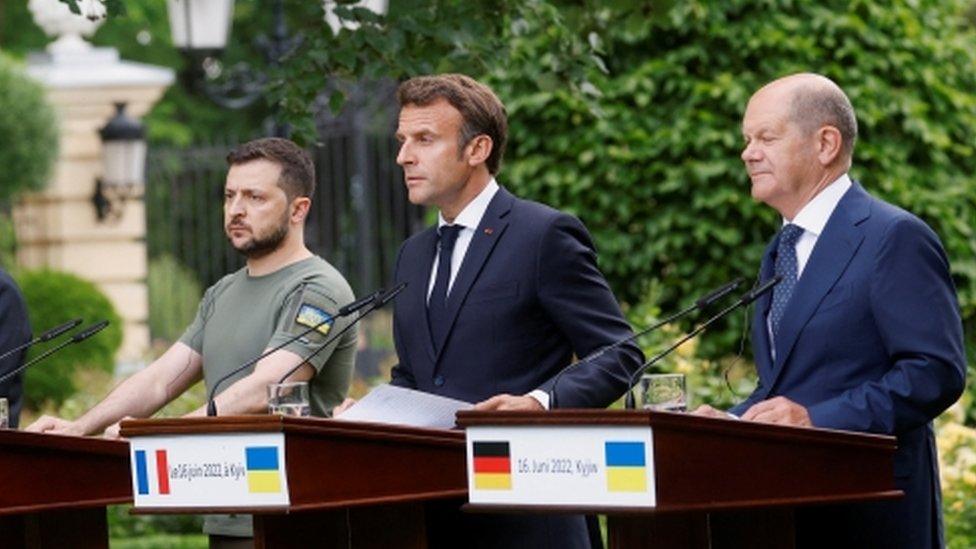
561 465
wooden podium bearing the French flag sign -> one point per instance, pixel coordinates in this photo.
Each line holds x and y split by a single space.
350 484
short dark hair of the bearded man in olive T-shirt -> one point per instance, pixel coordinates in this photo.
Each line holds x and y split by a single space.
297 170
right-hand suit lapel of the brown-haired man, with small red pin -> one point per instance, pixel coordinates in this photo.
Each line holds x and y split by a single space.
486 235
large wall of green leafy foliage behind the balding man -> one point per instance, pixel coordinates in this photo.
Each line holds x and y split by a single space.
652 166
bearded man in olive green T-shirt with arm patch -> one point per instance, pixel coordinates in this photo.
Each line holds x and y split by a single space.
283 290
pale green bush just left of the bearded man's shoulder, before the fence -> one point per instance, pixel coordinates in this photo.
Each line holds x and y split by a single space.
174 294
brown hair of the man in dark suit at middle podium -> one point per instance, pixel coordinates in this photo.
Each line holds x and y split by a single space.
481 110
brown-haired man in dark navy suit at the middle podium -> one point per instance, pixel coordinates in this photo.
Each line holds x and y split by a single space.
502 293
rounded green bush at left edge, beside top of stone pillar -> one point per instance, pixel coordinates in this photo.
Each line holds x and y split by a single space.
29 130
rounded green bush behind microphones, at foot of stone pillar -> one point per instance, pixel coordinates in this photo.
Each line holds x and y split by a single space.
55 297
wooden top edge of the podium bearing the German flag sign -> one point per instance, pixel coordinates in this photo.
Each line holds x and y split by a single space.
674 421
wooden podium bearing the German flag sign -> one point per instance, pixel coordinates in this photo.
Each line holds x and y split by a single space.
721 483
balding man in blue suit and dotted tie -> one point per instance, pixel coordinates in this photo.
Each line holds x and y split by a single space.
863 333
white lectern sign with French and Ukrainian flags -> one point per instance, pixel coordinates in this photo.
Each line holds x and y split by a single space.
209 470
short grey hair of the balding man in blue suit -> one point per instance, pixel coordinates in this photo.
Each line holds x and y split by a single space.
815 106
